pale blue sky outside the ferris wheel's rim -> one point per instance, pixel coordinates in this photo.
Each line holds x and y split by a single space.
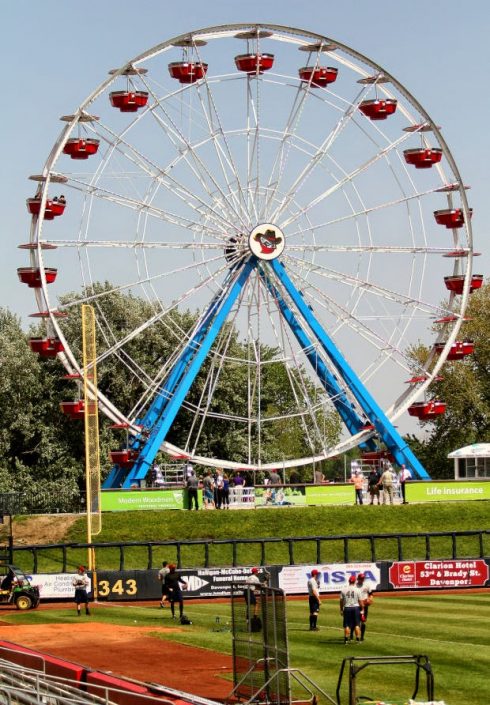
56 52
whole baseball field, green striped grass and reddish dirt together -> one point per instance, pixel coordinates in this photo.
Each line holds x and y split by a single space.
143 642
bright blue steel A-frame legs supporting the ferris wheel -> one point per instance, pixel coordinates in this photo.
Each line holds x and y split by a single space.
160 415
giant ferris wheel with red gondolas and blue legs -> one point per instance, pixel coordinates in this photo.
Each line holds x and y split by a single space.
293 221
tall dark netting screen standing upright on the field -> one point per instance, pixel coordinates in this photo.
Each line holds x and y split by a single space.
260 645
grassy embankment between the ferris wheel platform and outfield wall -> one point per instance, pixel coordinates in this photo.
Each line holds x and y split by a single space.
150 526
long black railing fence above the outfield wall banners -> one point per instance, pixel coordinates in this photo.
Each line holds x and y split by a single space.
203 553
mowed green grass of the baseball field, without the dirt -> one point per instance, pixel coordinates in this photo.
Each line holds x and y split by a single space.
452 630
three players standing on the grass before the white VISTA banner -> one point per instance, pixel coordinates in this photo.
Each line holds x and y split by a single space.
355 599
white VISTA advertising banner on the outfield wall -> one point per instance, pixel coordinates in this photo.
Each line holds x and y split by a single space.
333 576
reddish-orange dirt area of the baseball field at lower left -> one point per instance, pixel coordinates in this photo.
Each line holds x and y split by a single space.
134 652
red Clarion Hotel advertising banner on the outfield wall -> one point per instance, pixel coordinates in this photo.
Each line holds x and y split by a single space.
438 574
